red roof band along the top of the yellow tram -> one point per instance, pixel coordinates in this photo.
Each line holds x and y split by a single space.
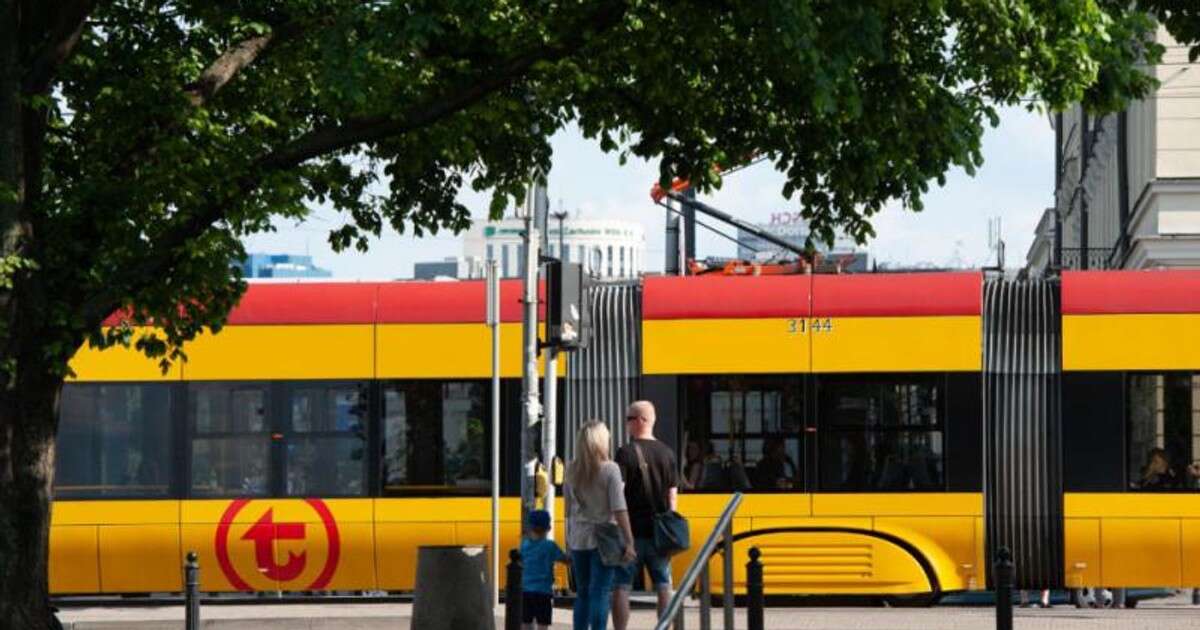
715 297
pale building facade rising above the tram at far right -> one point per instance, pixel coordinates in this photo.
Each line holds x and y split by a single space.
1129 185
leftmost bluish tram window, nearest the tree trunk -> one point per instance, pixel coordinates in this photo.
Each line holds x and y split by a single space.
115 441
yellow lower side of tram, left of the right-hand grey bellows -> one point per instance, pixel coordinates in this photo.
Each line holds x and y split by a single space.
373 544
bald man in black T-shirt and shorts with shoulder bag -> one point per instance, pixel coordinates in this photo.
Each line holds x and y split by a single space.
663 482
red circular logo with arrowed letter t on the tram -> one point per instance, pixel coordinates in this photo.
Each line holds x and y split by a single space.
266 536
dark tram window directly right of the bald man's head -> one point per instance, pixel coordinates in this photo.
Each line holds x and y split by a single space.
743 433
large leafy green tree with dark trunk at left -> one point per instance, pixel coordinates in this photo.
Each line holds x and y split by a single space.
142 140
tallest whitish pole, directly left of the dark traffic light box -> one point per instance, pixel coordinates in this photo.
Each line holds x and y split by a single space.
530 362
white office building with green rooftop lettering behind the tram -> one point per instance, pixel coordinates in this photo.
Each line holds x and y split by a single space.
608 248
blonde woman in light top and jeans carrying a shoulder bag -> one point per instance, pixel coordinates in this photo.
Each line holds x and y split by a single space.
595 495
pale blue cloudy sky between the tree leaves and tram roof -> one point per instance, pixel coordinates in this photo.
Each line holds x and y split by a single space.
1015 184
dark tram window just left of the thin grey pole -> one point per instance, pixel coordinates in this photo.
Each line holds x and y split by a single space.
436 436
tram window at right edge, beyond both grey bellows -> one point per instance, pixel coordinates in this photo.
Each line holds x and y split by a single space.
1165 433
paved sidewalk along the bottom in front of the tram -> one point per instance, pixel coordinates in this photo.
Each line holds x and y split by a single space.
1159 615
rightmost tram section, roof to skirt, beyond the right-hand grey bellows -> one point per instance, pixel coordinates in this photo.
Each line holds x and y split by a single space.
1132 368
